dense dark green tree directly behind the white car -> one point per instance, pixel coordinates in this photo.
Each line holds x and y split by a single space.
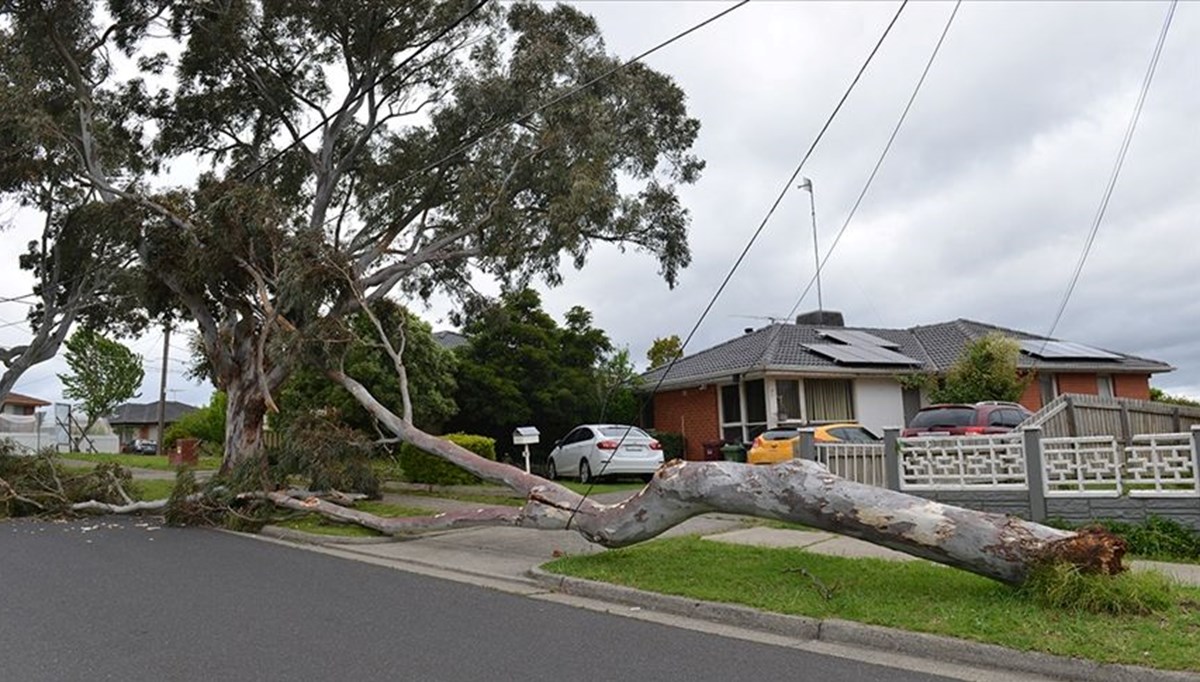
523 369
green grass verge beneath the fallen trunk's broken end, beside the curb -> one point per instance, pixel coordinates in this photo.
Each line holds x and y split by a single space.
914 596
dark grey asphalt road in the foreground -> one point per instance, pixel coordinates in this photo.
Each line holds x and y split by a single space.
119 600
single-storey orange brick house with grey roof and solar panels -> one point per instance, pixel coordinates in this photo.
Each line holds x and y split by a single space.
820 370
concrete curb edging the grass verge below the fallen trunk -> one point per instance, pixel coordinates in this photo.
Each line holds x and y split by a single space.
937 648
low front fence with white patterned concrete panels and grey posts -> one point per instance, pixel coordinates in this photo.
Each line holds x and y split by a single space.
1078 480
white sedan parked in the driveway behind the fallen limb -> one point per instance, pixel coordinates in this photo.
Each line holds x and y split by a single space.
596 451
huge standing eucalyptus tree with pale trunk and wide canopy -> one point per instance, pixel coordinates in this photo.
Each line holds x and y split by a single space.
346 152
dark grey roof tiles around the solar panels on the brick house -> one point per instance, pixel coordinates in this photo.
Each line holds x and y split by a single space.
935 348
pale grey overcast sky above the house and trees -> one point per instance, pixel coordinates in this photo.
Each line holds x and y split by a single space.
980 212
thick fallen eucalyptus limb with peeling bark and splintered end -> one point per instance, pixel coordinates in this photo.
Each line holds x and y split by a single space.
995 546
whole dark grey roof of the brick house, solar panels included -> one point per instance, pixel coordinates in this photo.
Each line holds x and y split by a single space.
815 350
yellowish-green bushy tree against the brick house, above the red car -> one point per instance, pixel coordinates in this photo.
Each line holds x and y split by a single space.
987 370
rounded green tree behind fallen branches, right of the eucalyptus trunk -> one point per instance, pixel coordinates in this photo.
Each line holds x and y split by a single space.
430 372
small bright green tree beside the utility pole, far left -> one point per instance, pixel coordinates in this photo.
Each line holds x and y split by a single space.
104 374
